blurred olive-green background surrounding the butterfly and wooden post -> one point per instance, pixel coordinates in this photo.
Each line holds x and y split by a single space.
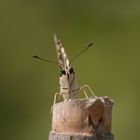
112 68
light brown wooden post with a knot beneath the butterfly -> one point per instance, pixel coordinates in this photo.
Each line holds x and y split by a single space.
82 119
